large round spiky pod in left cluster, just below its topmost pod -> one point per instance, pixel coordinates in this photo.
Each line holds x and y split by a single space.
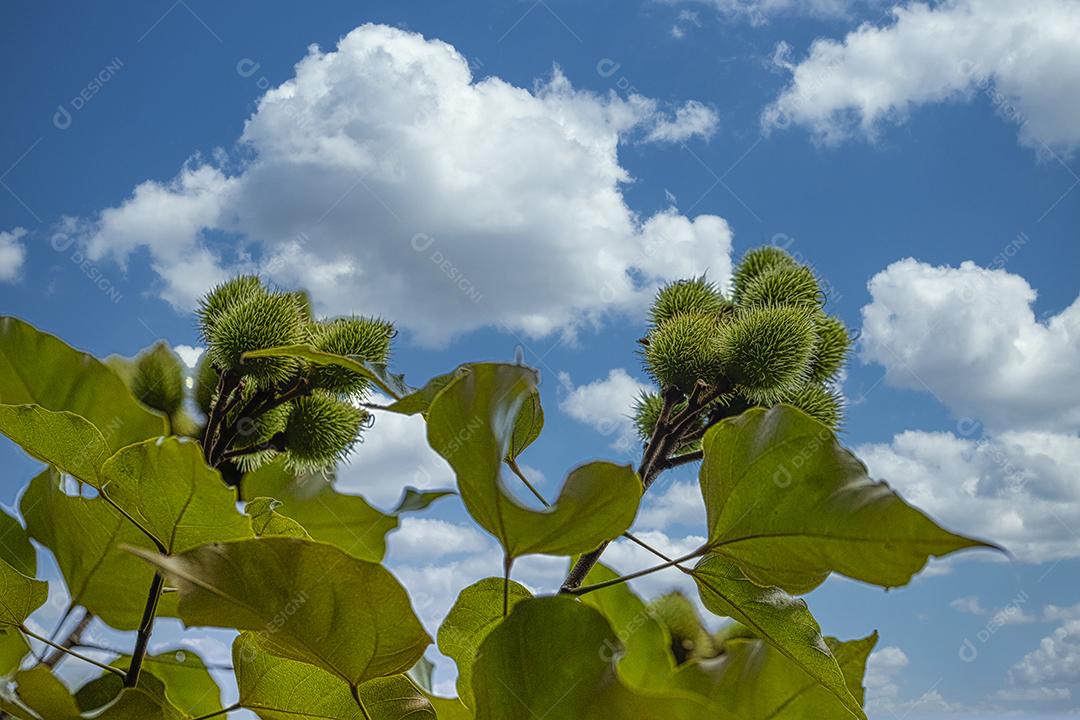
258 323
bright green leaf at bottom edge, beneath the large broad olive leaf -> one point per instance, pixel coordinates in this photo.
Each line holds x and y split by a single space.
281 689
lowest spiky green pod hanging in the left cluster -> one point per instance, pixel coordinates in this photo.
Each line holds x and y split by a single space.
320 432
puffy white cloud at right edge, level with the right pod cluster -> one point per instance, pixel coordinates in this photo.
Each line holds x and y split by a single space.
969 335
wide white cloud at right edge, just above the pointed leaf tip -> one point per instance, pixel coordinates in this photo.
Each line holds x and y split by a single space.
1021 491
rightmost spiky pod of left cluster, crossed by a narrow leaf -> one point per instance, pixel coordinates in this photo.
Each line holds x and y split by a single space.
367 338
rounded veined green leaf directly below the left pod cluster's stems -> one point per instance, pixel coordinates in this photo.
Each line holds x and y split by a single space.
168 488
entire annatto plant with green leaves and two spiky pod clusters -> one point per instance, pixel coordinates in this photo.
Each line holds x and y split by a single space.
746 389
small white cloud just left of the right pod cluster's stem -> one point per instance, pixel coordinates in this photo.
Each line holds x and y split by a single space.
606 405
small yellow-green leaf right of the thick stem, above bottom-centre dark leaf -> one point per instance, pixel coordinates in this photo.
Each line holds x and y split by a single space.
647 661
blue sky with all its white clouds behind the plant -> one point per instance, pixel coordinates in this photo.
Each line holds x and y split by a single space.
523 174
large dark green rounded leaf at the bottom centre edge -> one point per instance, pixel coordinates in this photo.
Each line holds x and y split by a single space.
547 660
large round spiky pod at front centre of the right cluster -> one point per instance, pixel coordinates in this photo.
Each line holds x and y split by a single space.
766 351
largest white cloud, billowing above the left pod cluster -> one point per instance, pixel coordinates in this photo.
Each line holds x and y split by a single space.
387 181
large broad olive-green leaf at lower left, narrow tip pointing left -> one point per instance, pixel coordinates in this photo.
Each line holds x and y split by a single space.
325 607
